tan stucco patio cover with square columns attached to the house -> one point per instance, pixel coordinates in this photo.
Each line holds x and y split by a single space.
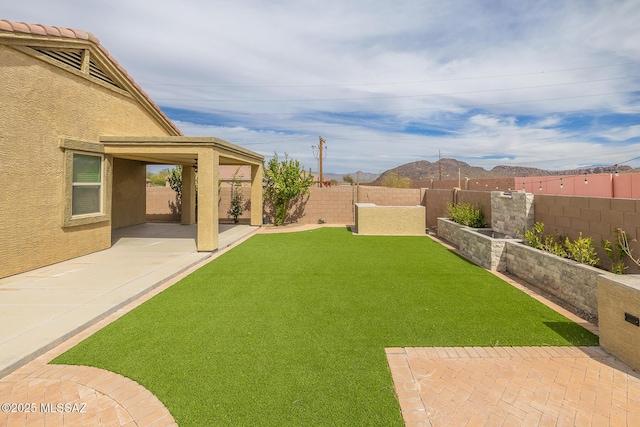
204 154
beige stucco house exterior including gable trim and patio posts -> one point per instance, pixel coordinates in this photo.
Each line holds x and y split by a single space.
50 111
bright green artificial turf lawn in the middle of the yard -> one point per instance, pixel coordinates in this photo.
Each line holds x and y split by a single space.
290 329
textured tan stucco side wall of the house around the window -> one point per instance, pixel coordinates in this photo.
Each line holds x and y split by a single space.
41 104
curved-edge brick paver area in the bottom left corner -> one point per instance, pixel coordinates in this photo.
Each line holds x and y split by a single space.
62 395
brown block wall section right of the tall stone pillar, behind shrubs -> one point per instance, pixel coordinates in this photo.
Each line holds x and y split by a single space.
593 216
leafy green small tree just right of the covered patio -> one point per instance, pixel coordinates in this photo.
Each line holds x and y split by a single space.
284 182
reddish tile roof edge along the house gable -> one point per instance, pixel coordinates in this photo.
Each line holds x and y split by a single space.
69 33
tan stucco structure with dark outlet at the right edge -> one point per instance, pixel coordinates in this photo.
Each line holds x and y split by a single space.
618 313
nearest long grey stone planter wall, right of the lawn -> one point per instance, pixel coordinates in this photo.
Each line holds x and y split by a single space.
575 283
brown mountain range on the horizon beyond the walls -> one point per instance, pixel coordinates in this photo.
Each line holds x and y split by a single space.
424 170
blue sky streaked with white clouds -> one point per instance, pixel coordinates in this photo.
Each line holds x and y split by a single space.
548 84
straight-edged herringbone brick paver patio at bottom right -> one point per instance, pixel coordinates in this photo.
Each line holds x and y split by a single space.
514 386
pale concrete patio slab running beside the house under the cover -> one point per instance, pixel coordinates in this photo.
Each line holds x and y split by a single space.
40 309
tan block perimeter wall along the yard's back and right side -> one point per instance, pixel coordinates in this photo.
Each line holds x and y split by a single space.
569 215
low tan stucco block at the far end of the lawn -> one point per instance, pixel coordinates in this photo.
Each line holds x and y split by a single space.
372 219
